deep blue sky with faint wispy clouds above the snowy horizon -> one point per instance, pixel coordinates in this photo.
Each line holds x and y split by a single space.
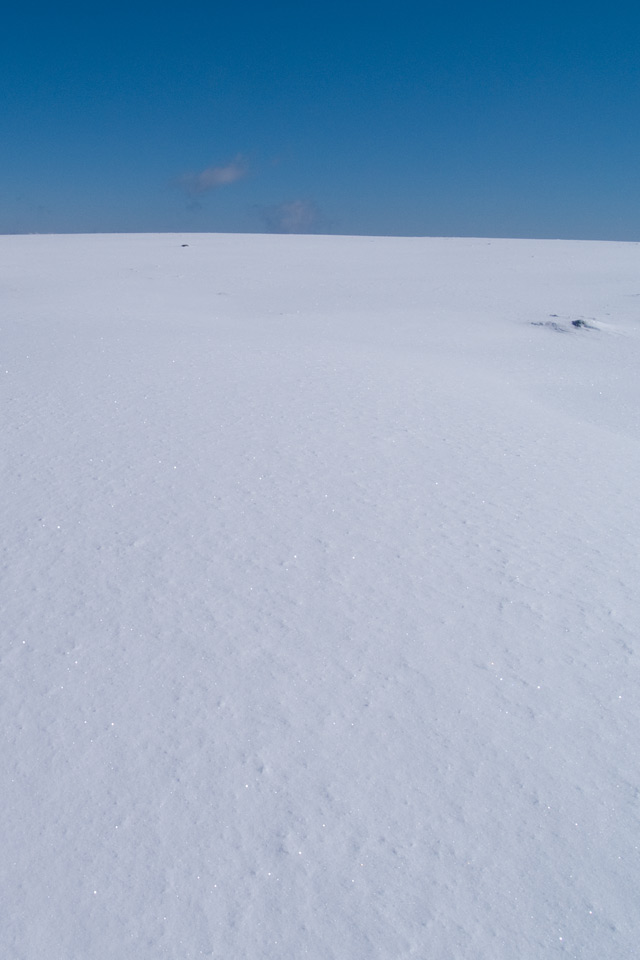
440 119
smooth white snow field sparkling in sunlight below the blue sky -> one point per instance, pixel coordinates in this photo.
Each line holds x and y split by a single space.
320 576
